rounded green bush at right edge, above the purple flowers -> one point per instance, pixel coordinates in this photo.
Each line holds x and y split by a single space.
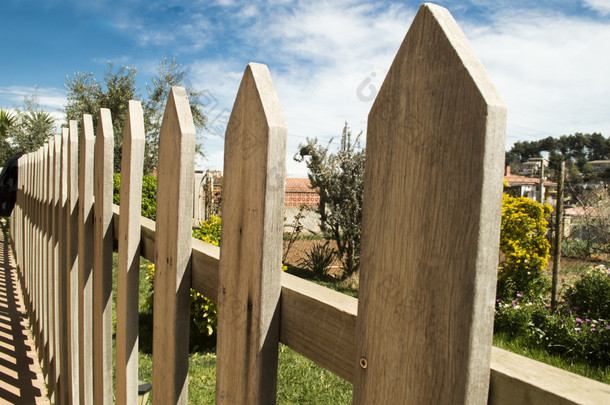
591 294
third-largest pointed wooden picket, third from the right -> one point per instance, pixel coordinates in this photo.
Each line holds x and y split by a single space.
173 257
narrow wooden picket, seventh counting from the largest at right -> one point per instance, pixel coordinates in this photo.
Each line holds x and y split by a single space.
72 256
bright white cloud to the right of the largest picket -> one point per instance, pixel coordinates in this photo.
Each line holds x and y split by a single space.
551 71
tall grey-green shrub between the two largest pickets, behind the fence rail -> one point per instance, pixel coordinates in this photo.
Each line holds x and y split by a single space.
338 179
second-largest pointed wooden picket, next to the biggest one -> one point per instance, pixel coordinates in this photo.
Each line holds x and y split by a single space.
250 265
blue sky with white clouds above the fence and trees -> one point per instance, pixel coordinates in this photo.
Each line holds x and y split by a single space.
550 59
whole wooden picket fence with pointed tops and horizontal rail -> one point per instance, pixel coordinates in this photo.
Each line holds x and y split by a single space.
421 329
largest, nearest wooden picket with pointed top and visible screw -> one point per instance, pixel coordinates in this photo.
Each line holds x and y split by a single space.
428 267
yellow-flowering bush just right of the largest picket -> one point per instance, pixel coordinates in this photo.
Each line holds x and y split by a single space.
523 246
